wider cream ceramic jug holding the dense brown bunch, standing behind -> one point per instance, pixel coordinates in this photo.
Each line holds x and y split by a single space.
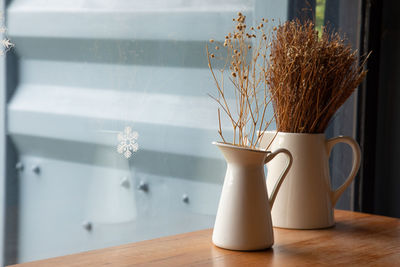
306 199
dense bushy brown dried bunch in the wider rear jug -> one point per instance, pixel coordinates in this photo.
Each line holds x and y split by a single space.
310 77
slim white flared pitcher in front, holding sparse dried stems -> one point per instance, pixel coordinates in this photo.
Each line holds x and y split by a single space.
243 219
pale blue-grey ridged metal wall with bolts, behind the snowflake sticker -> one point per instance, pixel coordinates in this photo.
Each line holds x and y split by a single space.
80 73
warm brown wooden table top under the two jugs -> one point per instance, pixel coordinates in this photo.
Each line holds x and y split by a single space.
356 239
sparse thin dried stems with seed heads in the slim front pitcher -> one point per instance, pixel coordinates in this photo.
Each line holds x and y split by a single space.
247 62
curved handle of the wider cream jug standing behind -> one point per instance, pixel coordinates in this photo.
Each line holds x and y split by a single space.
335 194
